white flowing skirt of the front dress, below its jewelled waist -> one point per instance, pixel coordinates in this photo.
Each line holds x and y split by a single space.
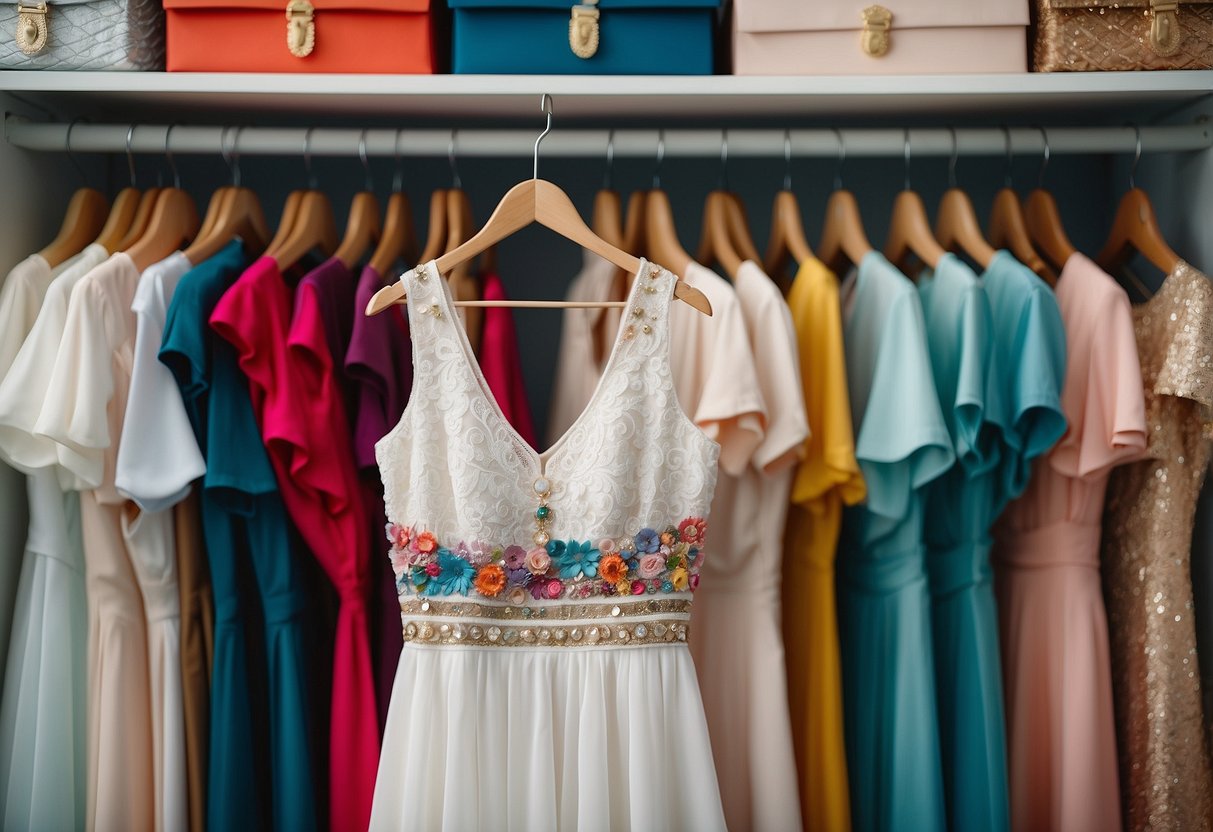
533 740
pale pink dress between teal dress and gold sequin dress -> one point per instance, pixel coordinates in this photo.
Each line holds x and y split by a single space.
1062 738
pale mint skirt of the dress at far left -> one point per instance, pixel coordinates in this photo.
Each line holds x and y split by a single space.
43 730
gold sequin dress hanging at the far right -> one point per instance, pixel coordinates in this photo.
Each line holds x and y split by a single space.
1166 772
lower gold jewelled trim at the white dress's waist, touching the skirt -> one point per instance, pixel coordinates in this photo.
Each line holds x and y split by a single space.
545 636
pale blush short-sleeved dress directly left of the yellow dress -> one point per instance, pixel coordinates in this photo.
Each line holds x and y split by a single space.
737 628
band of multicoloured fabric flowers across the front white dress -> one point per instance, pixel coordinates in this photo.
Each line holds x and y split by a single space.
646 563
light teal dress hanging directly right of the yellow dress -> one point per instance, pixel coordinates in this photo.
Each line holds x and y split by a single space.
903 446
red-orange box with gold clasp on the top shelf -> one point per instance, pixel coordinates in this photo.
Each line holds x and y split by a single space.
300 36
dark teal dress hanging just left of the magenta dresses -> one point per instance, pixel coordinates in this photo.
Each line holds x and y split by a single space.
261 763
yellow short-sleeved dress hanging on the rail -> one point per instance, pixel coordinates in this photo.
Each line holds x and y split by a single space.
828 478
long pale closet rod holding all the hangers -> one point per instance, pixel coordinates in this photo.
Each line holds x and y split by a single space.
590 144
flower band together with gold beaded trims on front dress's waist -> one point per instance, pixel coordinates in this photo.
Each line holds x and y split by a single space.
509 596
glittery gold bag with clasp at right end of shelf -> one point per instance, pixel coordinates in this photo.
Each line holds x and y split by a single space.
1085 36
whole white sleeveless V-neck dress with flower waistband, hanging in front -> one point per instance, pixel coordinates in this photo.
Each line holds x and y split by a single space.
529 696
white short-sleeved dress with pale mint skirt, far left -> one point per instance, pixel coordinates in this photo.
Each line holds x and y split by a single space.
45 679
